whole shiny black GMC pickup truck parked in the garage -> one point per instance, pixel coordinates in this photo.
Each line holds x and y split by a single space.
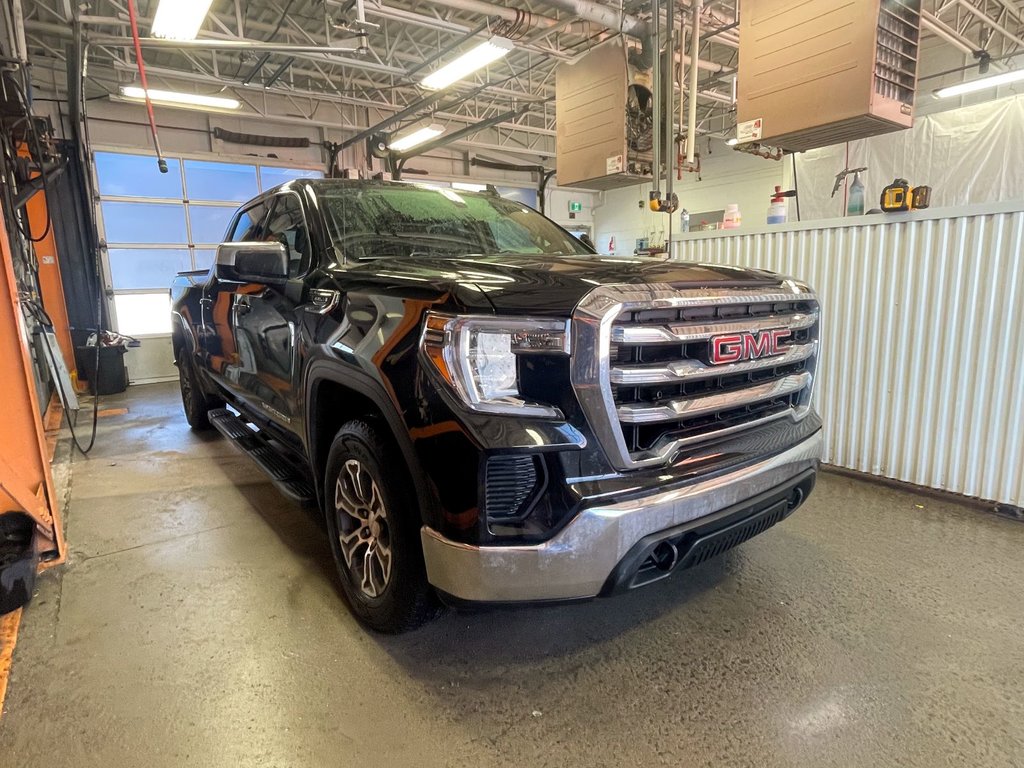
484 408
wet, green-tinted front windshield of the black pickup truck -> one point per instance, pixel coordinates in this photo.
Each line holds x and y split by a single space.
423 221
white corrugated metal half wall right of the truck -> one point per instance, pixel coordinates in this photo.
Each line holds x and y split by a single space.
922 371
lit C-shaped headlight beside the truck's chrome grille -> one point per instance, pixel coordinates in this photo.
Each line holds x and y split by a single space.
478 358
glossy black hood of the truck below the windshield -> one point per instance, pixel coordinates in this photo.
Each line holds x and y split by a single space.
552 285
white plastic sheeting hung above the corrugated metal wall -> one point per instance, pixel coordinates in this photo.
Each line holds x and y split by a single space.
968 156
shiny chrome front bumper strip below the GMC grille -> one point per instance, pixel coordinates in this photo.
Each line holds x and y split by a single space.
577 563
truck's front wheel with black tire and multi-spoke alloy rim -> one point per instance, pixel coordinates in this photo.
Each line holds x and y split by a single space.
382 575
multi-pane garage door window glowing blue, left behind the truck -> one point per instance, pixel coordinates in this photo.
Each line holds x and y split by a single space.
157 225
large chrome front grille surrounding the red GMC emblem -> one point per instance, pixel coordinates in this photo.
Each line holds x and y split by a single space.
655 389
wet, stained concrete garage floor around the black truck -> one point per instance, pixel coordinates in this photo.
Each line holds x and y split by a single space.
198 623
